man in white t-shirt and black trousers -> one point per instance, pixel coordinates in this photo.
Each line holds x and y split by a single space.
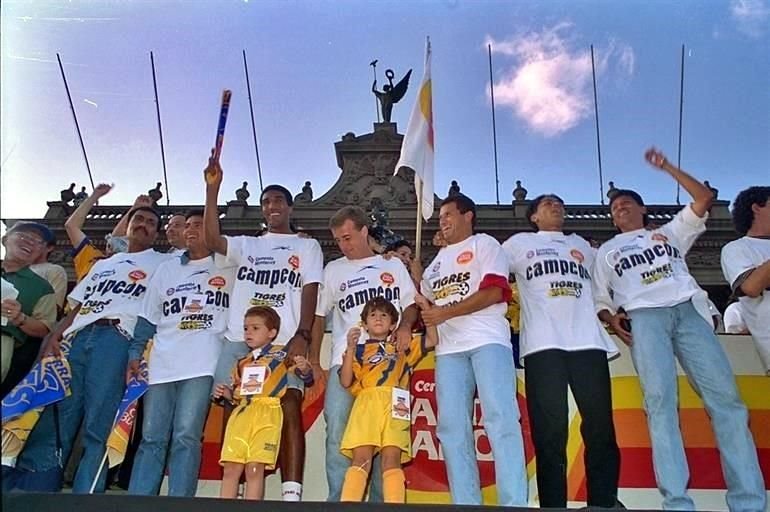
563 344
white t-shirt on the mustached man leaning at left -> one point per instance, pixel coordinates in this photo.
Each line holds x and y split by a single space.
115 288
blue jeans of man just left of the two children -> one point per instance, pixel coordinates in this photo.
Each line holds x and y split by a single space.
175 411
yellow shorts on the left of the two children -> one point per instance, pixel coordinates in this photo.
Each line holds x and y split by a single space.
253 432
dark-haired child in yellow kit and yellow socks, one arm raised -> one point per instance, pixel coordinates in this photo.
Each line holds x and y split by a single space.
378 377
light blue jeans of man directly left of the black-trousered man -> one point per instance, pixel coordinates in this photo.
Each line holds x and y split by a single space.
490 370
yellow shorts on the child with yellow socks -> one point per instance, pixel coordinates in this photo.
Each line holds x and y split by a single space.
371 424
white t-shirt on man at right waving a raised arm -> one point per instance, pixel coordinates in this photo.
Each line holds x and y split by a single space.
647 268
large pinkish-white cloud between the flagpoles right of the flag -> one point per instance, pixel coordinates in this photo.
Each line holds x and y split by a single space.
548 83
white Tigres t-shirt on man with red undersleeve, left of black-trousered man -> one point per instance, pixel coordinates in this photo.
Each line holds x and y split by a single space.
455 274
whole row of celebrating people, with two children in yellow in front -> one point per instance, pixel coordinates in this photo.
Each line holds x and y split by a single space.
237 322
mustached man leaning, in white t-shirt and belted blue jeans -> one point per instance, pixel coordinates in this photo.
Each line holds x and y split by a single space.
105 308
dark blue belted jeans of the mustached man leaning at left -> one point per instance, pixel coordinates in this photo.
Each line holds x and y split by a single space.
98 359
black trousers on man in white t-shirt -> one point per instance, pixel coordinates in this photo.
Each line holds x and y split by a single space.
547 374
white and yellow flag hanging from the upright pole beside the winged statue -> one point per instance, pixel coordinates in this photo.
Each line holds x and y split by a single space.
417 148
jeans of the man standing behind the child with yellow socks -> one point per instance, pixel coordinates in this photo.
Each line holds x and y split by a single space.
337 404
